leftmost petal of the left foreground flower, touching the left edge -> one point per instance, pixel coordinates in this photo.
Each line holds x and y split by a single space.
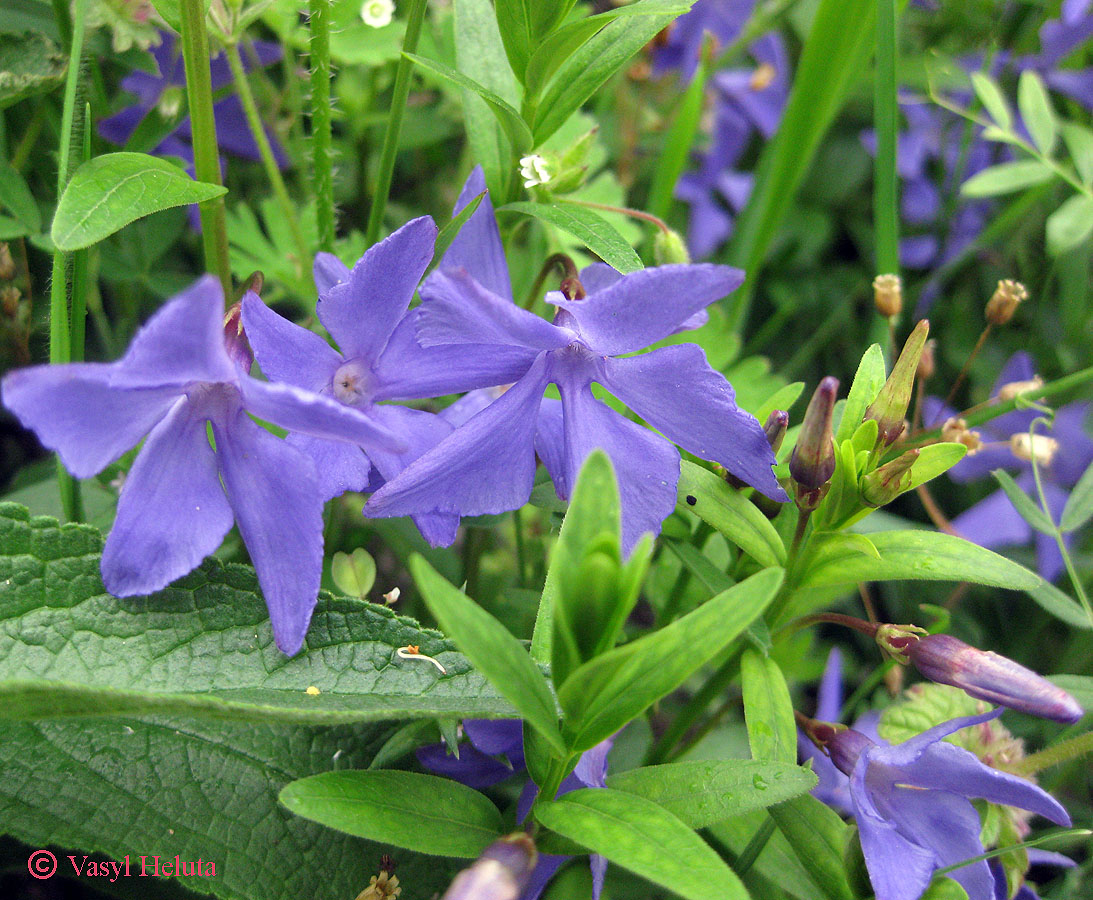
76 413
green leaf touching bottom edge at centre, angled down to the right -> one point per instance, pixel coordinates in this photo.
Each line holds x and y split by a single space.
644 838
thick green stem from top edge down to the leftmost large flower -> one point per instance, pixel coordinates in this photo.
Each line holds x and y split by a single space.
204 126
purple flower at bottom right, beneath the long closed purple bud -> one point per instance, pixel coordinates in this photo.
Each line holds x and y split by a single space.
911 802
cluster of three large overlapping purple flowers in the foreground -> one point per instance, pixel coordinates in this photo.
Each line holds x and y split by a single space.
183 376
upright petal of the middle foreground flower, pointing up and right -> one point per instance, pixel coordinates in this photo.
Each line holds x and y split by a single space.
362 313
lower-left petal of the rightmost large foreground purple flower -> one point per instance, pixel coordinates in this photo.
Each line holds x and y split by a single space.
487 466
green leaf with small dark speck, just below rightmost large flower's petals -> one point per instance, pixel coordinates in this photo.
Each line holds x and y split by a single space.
730 512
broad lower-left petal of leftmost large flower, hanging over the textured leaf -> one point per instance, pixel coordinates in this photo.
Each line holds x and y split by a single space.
172 512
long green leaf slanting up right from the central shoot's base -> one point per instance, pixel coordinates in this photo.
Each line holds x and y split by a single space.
603 696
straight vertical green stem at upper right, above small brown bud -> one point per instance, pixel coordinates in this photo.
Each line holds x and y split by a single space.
886 203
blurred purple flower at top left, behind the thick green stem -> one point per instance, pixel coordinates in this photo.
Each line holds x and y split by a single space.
233 134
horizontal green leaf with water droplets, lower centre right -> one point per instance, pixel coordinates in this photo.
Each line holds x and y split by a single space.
703 792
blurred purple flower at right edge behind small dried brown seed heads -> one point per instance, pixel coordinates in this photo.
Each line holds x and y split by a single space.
995 522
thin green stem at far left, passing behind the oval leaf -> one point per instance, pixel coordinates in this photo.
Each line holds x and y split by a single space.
61 329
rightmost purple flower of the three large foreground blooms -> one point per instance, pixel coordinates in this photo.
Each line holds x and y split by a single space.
488 465
